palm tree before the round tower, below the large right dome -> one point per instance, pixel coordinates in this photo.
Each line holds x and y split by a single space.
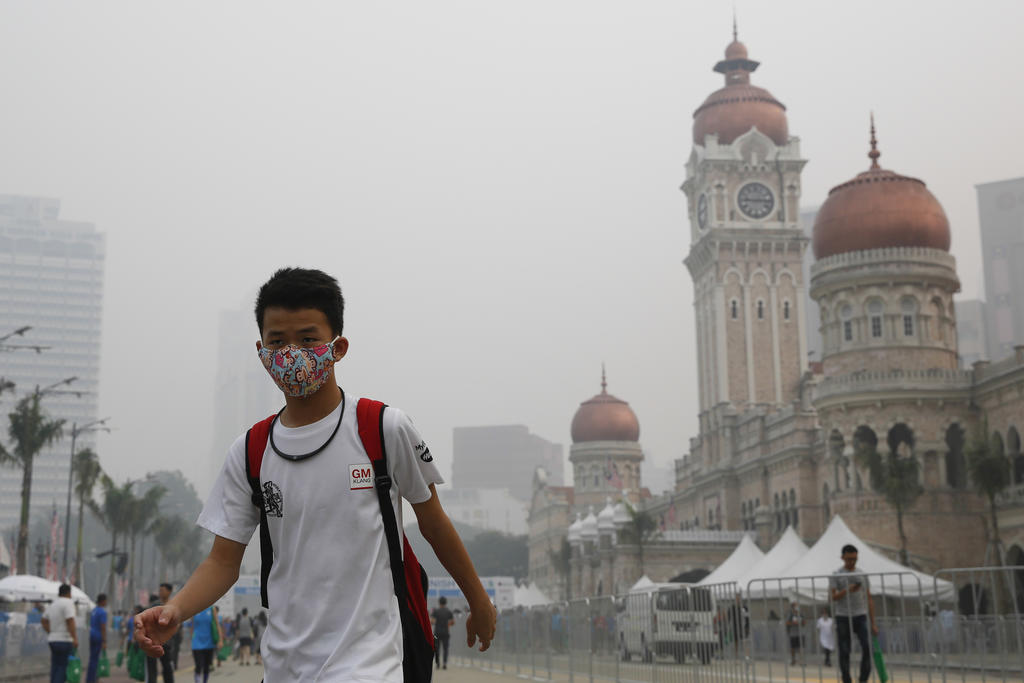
895 475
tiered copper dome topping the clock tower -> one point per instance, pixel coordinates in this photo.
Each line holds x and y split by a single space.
740 106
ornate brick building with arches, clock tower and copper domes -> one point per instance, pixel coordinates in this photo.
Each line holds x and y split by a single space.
779 437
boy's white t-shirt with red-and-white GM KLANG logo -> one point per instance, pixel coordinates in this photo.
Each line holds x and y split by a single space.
333 615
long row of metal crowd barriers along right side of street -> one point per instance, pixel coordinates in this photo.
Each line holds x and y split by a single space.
964 625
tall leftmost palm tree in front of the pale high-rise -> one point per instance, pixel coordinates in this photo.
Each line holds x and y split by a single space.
30 431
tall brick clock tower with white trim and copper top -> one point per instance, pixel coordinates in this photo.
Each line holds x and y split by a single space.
747 248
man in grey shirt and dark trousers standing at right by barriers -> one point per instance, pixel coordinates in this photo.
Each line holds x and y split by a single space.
854 608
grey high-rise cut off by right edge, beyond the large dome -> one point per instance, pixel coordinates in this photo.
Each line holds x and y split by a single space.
1001 212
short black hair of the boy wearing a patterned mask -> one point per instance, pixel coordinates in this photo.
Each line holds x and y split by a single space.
293 289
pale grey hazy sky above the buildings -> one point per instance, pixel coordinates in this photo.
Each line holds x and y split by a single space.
494 184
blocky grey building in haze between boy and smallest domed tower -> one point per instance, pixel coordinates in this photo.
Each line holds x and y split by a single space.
503 457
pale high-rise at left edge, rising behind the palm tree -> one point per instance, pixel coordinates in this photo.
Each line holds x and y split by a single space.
52 282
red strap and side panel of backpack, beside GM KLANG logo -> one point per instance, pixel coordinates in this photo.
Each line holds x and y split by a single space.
410 580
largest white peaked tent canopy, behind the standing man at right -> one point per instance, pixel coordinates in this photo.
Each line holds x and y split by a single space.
807 577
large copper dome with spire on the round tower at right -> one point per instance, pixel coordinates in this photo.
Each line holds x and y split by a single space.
879 209
